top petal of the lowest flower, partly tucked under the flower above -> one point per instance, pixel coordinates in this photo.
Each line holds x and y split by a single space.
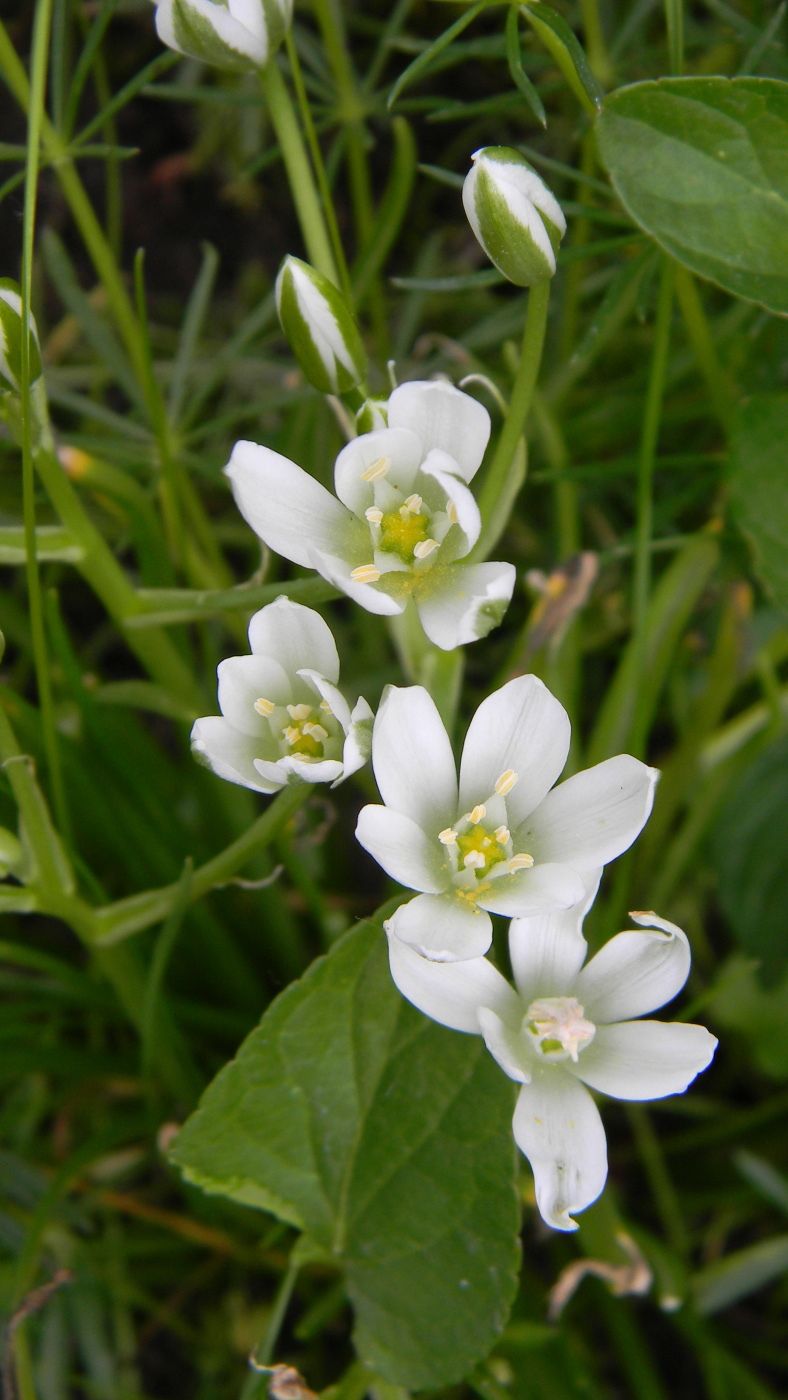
548 951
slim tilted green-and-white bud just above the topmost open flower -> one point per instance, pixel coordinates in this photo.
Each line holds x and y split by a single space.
321 328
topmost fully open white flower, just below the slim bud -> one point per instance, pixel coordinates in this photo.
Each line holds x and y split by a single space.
405 519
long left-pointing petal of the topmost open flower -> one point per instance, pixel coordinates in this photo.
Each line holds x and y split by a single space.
286 507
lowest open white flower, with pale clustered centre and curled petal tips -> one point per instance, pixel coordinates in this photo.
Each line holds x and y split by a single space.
568 1027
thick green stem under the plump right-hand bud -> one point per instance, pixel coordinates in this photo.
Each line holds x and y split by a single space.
505 458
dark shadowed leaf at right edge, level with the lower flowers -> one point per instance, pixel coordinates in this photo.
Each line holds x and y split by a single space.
750 845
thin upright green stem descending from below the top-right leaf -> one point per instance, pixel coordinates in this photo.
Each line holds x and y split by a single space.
642 583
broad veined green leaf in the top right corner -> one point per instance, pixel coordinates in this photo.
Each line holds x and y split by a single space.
702 164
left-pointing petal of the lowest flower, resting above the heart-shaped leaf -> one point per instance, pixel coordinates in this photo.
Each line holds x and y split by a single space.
450 993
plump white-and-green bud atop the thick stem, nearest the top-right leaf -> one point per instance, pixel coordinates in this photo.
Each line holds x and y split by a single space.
514 216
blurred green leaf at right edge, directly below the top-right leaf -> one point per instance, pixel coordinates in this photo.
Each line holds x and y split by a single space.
759 488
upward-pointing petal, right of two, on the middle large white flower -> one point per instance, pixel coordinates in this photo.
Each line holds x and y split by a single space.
520 727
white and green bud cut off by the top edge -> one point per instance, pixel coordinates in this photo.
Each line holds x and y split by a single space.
239 34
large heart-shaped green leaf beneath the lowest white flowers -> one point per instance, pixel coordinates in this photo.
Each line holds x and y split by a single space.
388 1140
